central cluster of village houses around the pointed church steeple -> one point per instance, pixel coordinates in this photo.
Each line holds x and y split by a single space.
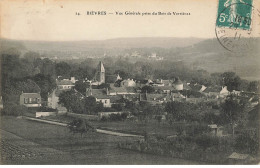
164 90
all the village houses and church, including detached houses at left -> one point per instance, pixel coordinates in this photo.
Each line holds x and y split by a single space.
131 89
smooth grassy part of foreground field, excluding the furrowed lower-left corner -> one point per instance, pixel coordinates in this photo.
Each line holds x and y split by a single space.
91 149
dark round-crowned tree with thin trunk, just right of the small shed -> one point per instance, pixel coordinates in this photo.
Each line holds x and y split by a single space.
233 111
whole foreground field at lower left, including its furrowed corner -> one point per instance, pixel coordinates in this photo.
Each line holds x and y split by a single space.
29 142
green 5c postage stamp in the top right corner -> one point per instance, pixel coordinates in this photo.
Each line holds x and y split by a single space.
234 14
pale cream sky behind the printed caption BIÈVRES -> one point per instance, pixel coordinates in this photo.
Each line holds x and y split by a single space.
53 20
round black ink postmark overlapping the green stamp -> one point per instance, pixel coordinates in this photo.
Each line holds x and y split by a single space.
236 26
